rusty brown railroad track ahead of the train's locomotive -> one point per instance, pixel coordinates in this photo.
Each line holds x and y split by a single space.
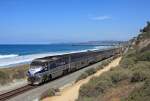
13 93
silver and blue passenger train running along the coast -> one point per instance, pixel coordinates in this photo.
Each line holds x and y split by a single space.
50 67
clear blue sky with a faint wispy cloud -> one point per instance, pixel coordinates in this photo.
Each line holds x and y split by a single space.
56 21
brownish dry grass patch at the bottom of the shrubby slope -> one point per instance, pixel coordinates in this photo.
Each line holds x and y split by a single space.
120 91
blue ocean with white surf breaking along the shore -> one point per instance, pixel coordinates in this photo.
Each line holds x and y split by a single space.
18 54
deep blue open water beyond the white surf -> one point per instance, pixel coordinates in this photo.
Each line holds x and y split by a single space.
35 49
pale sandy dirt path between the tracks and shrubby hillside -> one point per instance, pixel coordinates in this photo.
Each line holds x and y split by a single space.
71 93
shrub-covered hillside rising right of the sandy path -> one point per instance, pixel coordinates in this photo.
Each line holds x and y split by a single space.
130 81
